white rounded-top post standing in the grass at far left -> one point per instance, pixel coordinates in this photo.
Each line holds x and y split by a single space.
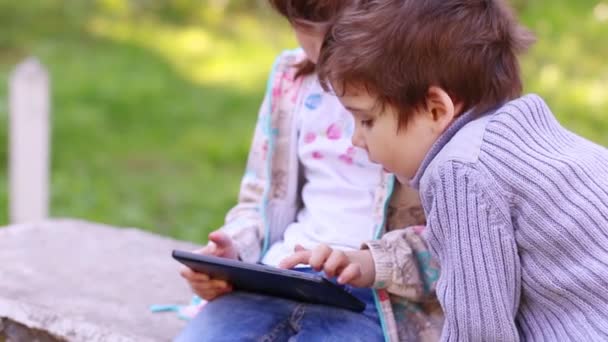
29 142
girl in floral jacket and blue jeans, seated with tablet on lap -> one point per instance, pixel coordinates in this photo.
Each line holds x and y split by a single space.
305 185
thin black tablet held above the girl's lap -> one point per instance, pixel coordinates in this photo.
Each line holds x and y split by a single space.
272 281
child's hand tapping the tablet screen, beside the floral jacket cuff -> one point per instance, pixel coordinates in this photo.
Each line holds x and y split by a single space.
355 268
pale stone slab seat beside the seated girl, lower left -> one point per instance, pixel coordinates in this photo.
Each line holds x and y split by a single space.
78 281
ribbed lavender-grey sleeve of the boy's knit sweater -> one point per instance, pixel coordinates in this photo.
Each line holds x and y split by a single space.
470 231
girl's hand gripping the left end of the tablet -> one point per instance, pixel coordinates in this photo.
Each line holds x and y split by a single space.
219 245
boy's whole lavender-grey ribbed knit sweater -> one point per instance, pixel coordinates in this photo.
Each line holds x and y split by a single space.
517 210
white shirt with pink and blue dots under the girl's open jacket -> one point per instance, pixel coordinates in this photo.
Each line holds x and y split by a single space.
338 194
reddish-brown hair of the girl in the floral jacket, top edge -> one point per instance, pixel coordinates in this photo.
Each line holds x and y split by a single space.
321 11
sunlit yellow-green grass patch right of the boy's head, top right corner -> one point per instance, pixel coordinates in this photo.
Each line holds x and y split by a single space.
567 65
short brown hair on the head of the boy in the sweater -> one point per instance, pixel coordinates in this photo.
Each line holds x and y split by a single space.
397 49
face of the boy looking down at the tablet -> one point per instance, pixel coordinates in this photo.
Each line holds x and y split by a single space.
398 150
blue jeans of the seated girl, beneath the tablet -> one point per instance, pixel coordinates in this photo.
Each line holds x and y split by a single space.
242 316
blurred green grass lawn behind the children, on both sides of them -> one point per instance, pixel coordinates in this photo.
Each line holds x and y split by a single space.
153 115
